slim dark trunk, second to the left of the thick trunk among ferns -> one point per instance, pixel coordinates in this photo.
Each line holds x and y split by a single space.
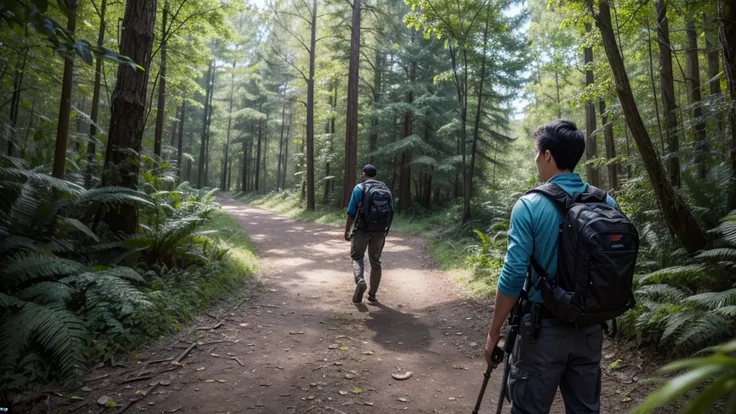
65 104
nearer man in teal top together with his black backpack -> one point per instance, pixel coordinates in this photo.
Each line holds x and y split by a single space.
582 251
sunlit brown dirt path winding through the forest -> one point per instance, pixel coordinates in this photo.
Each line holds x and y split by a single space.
302 346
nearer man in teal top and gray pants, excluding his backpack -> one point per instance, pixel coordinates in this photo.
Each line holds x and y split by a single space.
562 355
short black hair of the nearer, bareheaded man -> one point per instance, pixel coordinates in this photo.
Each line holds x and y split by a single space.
564 140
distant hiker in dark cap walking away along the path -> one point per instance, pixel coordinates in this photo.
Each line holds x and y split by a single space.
370 214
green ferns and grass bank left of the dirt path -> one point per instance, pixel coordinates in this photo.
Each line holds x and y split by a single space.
64 296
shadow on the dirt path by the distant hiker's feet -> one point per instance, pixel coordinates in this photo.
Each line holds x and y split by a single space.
398 331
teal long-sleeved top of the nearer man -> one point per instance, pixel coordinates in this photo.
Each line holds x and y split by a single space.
534 228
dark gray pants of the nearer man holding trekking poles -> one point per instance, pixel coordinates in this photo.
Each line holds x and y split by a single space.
564 356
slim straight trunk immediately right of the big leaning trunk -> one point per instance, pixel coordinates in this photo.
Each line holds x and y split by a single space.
667 86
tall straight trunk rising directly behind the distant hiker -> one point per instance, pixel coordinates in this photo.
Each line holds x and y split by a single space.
351 122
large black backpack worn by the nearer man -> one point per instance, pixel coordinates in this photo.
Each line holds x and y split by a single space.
597 251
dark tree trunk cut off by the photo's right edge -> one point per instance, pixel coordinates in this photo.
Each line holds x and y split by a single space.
727 32
